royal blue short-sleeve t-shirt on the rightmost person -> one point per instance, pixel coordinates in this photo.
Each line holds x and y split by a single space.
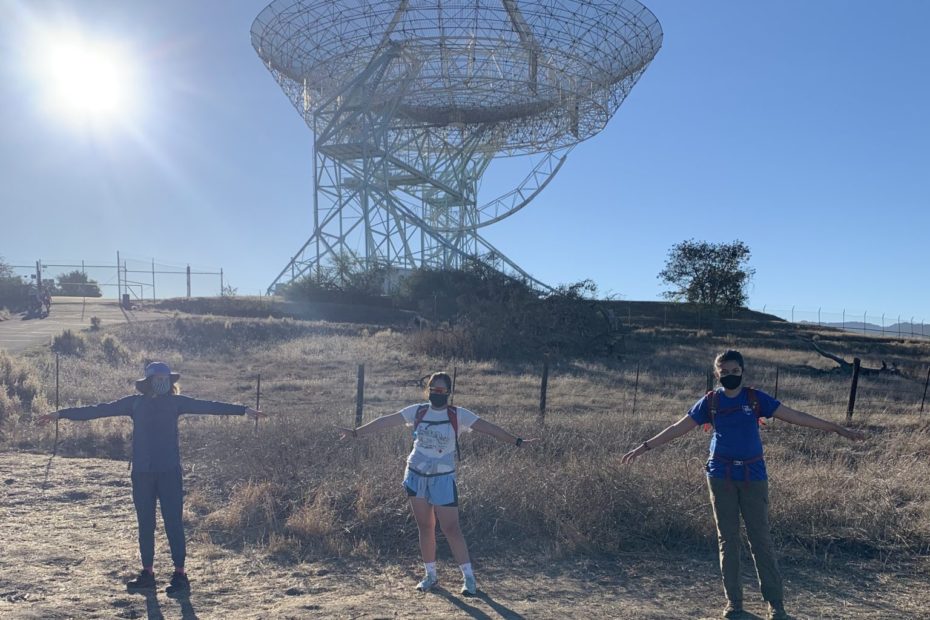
736 432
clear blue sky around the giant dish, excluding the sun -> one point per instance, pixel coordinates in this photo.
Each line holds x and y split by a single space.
799 127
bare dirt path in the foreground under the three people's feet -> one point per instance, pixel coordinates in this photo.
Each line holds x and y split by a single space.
66 552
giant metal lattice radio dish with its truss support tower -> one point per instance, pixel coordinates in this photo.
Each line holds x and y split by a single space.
410 101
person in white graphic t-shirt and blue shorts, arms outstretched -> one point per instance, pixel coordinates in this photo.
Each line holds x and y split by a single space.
429 480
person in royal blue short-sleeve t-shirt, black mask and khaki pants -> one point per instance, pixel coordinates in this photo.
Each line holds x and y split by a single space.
736 474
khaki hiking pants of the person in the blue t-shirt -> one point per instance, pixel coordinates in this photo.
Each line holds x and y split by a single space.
730 500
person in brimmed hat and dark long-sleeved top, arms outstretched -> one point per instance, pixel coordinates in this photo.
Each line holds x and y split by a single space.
156 462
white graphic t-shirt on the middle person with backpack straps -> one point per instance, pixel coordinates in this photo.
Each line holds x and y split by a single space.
434 444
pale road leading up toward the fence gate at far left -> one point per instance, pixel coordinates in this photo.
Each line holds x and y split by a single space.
19 333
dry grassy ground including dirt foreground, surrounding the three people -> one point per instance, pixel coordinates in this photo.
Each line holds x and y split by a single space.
287 521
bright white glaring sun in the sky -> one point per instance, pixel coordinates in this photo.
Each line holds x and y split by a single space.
82 79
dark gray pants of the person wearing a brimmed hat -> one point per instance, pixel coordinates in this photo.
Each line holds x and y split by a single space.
167 488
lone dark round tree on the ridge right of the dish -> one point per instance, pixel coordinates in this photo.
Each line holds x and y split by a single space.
714 274
